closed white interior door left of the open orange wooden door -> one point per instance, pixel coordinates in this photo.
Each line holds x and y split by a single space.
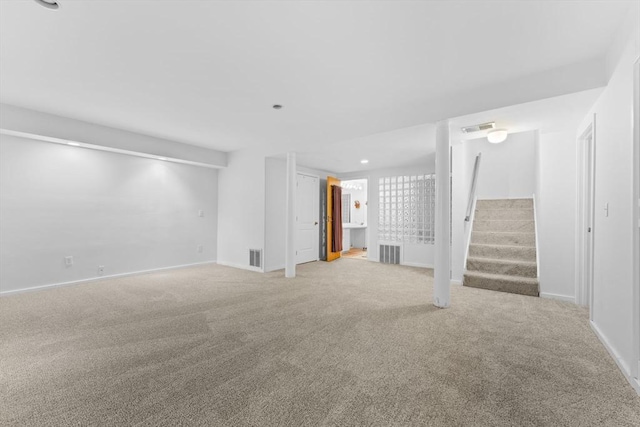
307 217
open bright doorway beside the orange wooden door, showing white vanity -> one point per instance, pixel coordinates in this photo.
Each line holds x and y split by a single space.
354 218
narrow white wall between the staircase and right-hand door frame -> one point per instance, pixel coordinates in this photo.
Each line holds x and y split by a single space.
556 214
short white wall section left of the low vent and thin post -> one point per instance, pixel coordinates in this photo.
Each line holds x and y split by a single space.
241 208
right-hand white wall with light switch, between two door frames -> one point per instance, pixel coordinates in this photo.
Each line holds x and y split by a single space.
613 263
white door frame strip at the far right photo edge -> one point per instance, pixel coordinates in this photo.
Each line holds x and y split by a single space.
635 364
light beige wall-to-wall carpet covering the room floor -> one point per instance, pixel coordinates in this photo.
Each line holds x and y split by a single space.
344 343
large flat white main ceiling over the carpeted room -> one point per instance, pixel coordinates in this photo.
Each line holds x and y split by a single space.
207 73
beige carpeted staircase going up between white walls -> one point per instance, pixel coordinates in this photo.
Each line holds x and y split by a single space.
502 253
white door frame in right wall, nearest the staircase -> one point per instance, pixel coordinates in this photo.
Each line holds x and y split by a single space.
584 265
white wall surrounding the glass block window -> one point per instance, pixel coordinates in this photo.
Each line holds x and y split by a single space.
414 254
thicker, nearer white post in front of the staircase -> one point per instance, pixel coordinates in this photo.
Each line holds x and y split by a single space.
442 265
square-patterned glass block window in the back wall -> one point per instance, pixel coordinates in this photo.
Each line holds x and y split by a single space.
407 208
